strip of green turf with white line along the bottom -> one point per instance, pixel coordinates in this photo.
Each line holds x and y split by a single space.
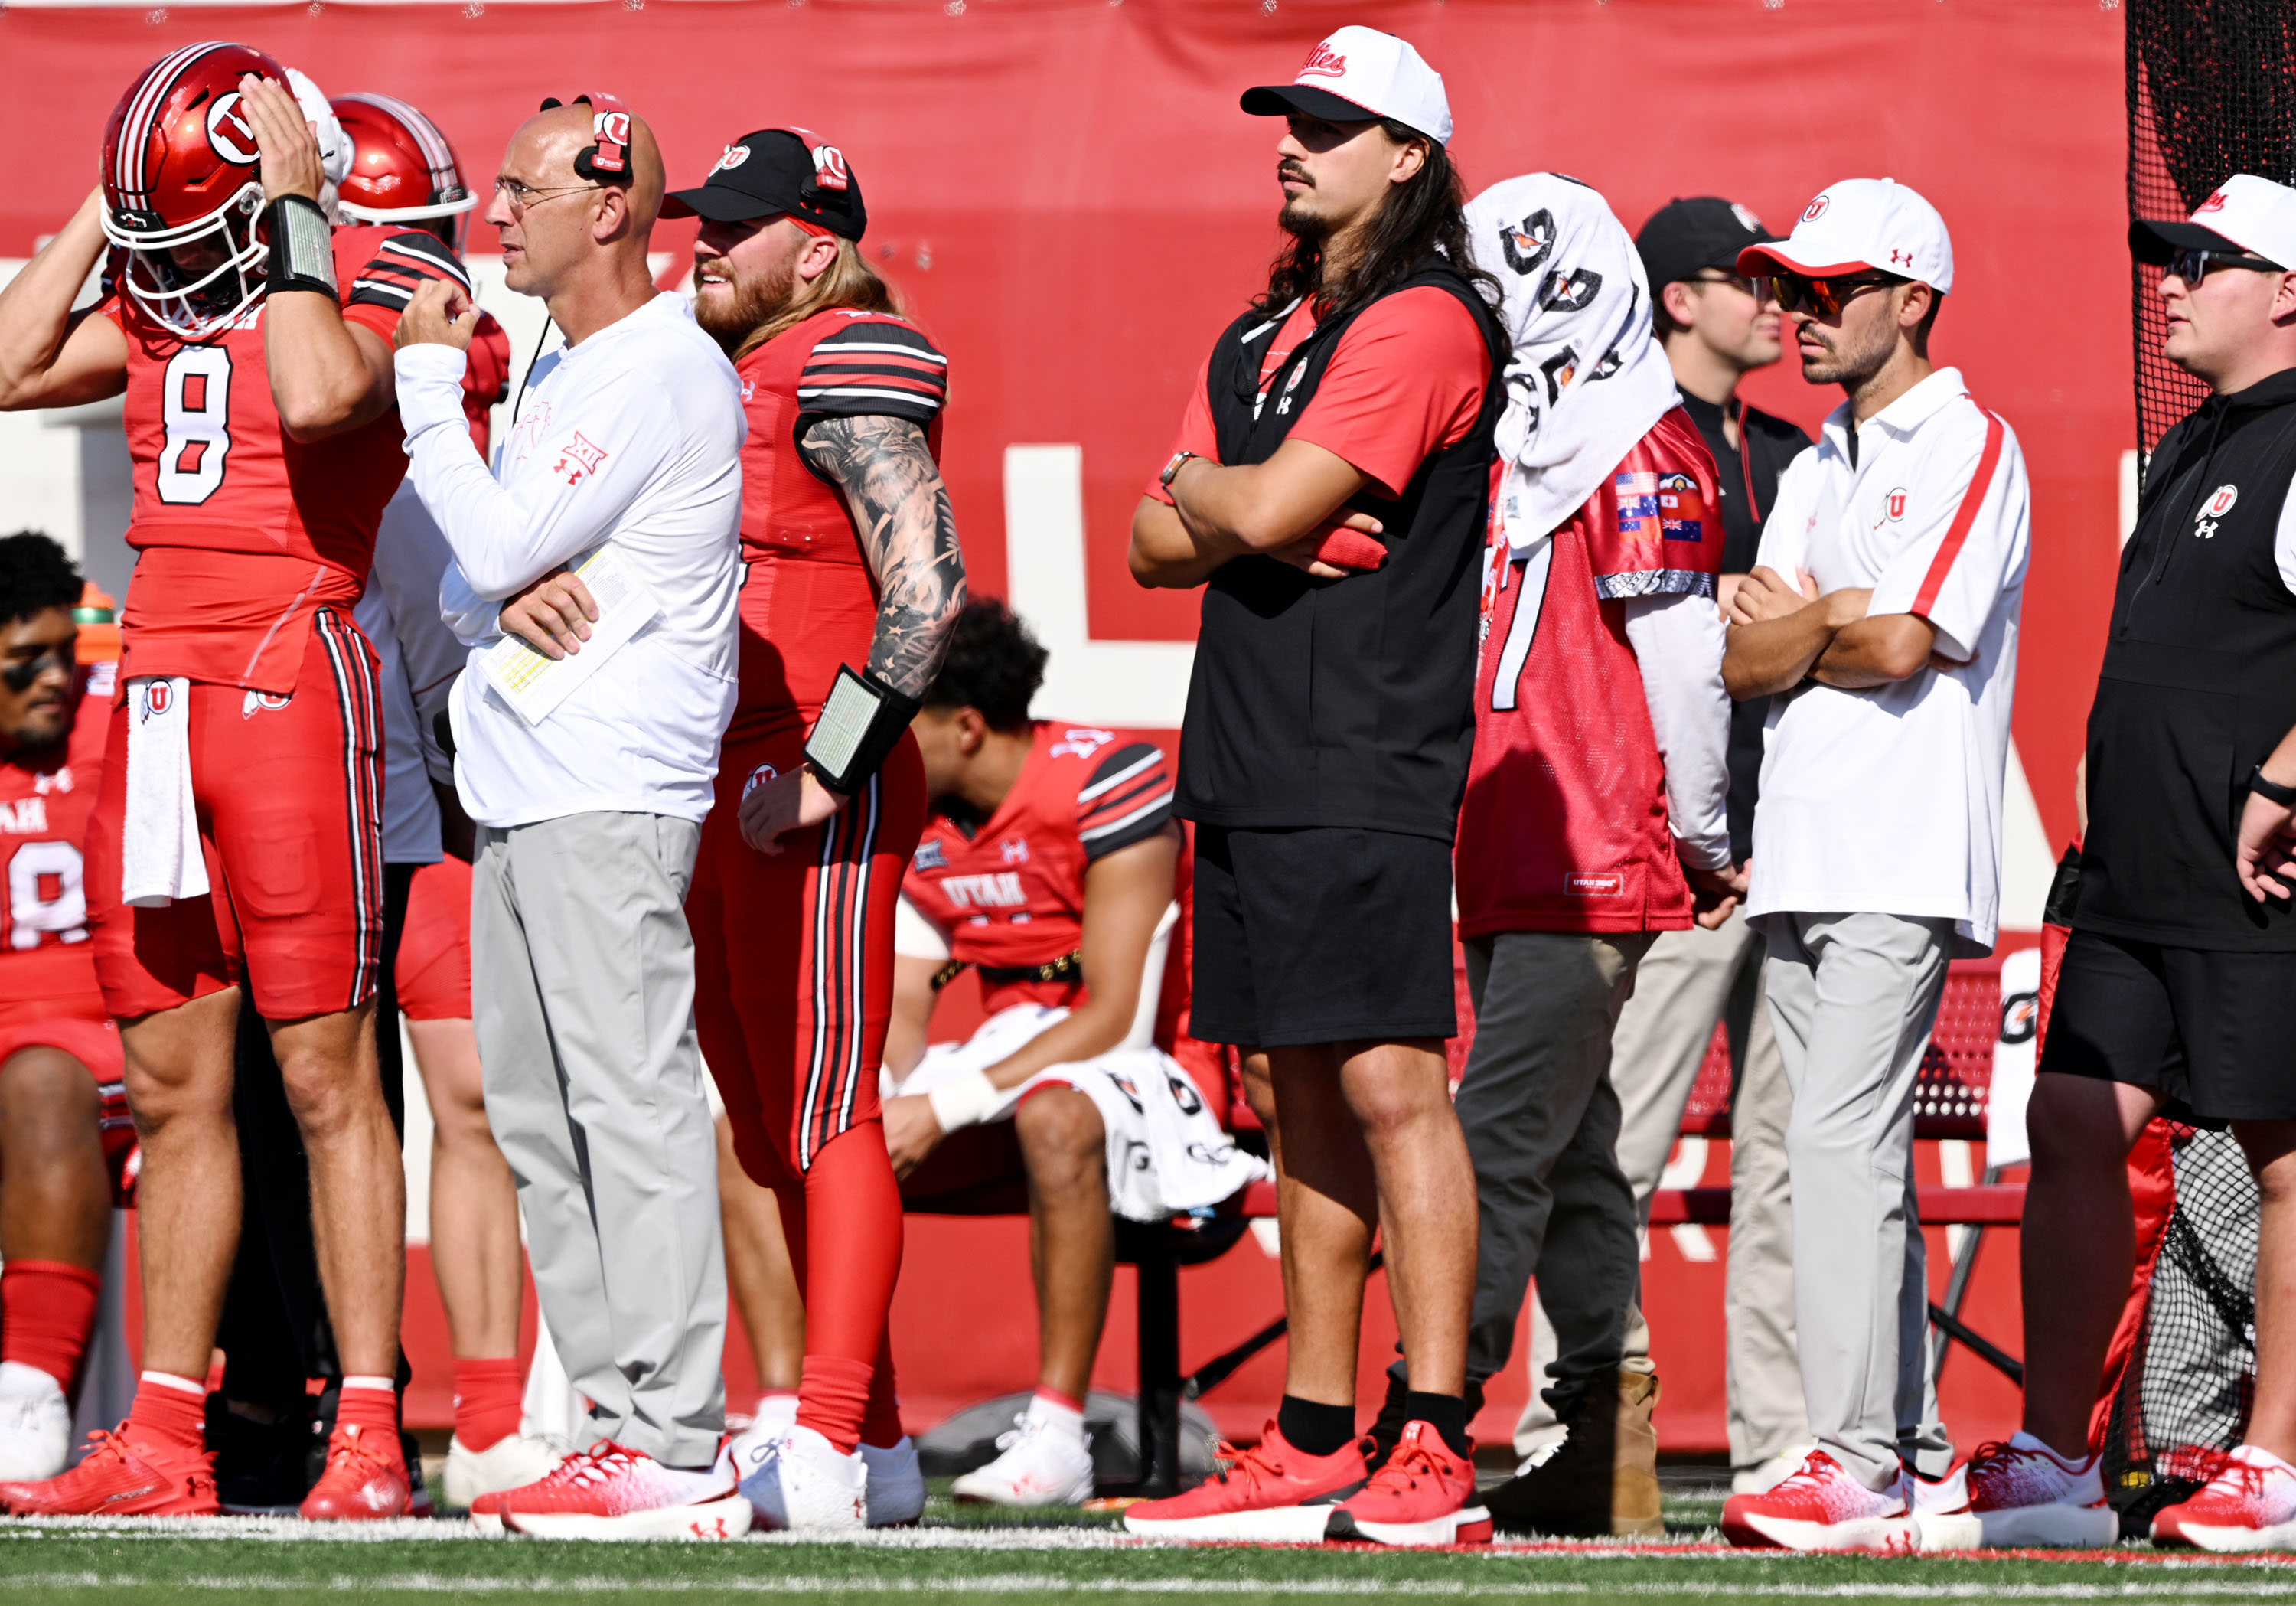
963 1559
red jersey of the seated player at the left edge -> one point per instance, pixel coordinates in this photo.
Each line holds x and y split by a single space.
47 962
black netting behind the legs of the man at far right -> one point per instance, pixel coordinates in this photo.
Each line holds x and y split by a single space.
2189 1384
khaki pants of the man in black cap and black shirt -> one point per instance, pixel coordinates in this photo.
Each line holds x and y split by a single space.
1684 985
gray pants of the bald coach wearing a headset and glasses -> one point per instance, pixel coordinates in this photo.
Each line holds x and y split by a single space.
582 989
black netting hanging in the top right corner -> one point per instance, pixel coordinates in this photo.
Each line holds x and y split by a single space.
2212 91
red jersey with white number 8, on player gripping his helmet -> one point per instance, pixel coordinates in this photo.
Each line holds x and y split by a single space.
245 532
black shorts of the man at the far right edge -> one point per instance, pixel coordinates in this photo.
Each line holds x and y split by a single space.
2210 1030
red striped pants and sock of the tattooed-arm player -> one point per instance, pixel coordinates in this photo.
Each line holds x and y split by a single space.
793 991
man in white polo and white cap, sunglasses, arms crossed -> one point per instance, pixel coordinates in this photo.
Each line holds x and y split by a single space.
1884 619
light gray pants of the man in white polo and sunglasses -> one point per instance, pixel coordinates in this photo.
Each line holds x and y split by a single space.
1854 1001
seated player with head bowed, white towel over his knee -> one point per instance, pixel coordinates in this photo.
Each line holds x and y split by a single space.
1053 865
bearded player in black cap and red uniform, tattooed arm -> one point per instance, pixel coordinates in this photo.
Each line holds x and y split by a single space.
853 585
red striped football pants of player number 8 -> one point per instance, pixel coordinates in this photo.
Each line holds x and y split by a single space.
290 819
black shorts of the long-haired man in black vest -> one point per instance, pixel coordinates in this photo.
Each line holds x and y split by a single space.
1321 936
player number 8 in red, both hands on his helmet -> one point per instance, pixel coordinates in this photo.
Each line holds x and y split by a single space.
254 346
